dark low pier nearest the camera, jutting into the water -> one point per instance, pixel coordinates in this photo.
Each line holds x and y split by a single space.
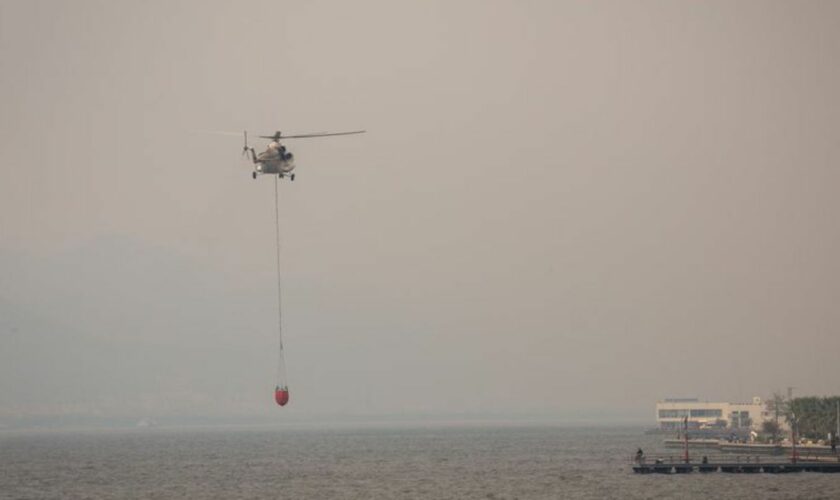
737 464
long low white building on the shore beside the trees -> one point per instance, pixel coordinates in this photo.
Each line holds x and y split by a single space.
670 414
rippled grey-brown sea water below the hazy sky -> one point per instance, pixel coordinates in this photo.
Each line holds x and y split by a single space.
406 461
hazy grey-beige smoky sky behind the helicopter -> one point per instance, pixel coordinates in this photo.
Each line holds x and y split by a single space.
566 208
